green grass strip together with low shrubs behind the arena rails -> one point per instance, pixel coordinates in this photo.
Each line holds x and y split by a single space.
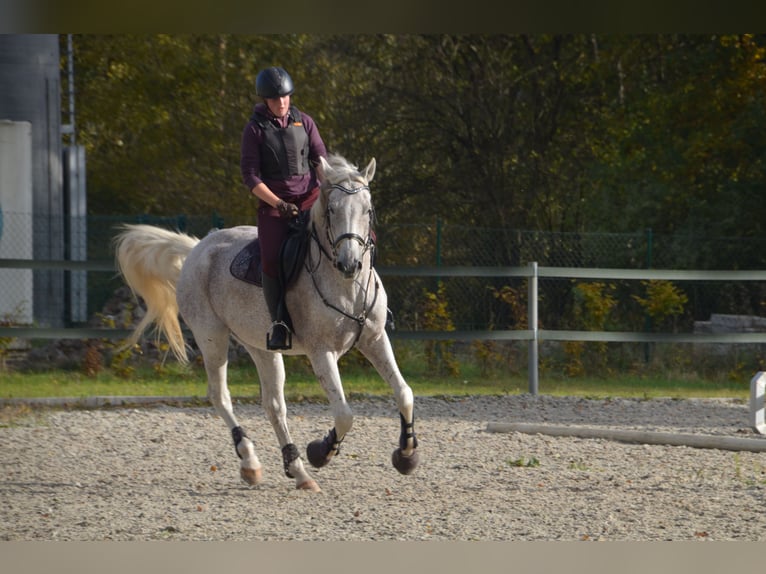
497 370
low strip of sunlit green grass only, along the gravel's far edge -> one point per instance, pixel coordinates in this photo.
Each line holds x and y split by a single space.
177 381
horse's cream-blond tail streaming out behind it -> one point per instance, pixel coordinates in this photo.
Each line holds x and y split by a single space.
150 259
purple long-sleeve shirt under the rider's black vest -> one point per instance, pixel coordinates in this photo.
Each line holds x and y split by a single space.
250 159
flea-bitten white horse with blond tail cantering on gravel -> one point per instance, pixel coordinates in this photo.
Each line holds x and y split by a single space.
336 302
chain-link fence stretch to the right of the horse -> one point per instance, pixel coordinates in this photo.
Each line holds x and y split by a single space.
476 303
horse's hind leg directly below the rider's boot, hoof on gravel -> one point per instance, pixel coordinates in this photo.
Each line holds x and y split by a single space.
271 372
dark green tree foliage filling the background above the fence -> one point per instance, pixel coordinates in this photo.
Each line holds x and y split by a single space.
564 132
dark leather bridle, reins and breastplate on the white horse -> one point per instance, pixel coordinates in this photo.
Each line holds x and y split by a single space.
367 244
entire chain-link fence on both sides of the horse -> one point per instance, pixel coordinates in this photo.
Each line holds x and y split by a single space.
472 303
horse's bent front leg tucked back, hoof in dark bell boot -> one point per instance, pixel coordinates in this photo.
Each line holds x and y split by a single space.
321 451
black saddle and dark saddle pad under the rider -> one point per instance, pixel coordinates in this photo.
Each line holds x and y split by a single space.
247 266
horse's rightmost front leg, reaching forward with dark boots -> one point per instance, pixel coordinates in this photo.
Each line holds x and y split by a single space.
378 351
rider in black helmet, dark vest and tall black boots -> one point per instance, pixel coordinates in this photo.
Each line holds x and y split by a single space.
280 152
